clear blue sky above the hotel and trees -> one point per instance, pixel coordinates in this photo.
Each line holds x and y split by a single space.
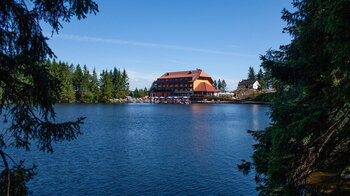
151 37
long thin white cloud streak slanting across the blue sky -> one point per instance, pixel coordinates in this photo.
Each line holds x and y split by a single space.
145 44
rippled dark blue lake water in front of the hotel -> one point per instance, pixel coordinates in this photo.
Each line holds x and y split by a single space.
151 149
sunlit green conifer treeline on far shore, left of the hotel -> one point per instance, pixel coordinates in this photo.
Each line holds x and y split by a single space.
77 85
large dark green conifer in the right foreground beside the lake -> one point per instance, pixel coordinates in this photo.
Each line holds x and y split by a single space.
310 131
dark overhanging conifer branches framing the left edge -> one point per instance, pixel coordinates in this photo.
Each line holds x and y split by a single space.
28 91
